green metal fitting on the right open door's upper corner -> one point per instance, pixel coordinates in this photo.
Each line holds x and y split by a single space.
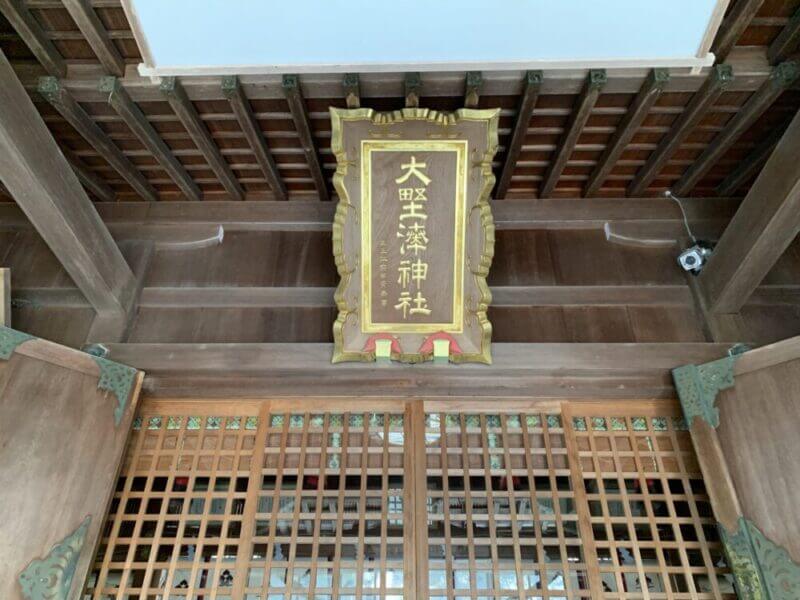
698 387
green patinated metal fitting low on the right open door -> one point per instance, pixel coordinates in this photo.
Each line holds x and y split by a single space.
762 569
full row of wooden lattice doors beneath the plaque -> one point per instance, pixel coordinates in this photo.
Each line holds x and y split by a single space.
280 500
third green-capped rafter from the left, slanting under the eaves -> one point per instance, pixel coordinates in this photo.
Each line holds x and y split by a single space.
172 89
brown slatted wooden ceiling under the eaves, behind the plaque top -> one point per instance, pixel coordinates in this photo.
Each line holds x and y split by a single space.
558 150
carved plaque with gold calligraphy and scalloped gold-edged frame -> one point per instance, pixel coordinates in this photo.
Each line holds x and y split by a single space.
413 235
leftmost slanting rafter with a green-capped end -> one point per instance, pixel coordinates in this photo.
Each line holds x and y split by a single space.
51 89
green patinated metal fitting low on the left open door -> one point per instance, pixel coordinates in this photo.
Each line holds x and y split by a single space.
50 578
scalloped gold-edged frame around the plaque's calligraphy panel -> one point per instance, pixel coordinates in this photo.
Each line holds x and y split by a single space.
473 135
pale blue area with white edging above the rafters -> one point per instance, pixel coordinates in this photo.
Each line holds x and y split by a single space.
330 32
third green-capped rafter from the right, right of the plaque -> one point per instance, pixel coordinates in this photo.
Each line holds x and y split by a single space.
650 91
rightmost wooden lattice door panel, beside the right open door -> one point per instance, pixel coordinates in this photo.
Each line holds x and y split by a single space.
650 513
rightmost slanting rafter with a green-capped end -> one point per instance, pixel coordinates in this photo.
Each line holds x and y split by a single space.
780 80
